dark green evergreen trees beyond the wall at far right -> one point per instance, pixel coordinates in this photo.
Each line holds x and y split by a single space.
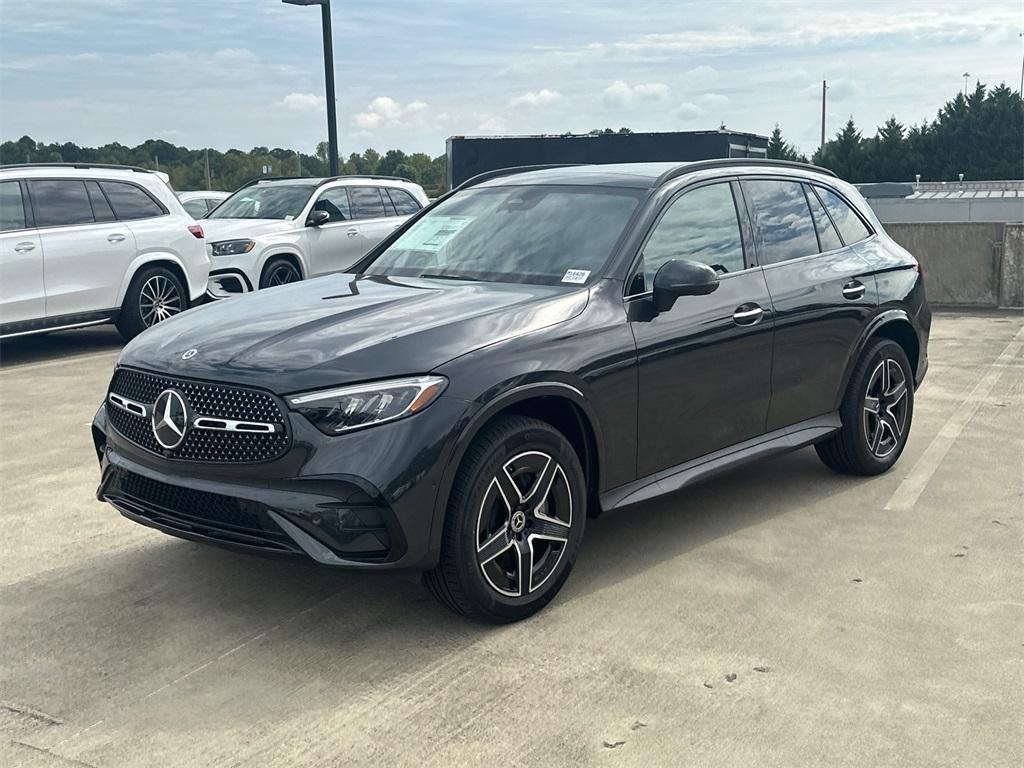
980 135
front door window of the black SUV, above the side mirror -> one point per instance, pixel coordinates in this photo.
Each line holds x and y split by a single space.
703 227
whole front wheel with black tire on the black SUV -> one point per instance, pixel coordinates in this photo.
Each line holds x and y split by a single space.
515 447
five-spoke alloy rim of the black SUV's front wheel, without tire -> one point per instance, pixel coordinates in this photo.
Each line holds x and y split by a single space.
524 524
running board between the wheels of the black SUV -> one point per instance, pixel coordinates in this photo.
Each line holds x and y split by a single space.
674 479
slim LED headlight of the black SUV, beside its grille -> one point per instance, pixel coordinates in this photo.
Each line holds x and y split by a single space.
337 411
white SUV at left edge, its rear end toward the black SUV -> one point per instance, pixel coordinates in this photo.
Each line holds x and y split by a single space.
82 245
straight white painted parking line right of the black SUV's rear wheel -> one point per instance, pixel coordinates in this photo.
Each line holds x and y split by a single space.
914 485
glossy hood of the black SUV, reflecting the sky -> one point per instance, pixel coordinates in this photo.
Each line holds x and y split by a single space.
347 328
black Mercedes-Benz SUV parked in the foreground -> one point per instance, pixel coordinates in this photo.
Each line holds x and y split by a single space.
538 347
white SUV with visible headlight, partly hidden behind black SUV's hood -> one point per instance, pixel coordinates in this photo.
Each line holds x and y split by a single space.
273 232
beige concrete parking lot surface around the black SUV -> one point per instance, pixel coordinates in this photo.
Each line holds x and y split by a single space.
780 616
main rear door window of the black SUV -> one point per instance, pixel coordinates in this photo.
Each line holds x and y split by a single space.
782 221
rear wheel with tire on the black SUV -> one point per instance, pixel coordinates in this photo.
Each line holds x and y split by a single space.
875 430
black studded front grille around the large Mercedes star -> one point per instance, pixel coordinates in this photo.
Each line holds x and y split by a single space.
215 401
